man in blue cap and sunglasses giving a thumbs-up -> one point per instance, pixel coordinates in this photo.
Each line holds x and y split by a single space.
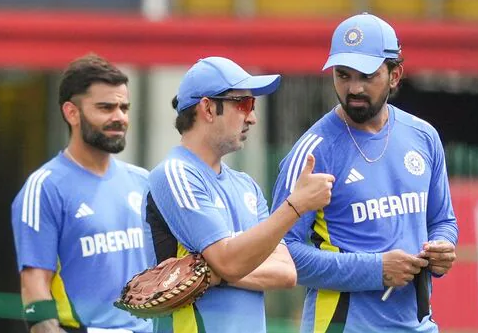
196 203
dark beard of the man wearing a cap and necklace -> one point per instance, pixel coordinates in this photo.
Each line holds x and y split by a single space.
362 114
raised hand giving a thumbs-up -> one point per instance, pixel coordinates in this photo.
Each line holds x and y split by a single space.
312 190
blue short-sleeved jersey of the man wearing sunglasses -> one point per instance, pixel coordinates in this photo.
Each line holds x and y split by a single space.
200 208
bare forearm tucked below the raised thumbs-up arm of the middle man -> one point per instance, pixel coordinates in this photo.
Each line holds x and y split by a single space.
277 272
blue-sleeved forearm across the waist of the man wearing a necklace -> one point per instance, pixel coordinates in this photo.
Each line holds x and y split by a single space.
336 271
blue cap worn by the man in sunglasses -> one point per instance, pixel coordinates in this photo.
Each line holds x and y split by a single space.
214 75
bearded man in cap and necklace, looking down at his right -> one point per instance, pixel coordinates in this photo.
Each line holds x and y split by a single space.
390 223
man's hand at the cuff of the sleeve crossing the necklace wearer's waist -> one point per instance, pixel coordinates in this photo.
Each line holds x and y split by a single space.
399 267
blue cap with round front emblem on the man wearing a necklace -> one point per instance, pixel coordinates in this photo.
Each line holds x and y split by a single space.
363 42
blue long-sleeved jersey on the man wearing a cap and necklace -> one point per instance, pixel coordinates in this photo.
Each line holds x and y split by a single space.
397 202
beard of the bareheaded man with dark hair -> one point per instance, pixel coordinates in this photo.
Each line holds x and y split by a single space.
97 139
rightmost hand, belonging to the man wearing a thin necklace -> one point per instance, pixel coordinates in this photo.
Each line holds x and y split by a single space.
440 254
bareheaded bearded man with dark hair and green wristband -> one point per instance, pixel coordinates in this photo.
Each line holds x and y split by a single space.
77 220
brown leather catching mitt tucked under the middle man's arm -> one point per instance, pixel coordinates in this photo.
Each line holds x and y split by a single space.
158 292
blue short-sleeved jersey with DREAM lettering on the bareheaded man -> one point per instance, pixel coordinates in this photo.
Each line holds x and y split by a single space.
88 230
